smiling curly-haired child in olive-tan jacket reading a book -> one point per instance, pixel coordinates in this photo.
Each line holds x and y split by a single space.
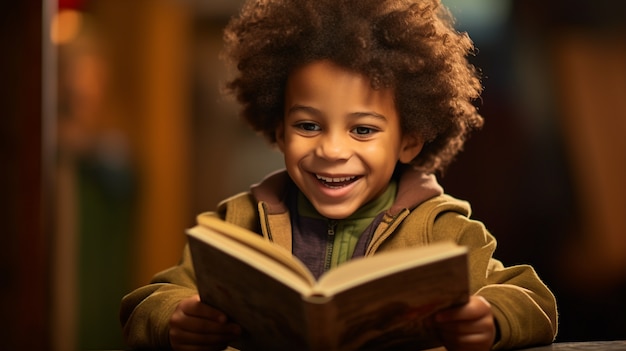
367 100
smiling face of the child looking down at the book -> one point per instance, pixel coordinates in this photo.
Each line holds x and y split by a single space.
341 139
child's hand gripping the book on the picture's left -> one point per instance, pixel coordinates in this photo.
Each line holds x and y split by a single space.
197 326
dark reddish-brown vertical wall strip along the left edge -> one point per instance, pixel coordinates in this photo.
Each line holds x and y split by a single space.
23 257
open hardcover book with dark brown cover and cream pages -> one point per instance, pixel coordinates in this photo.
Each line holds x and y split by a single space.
378 302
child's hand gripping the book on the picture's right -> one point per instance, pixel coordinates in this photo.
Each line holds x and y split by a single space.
470 327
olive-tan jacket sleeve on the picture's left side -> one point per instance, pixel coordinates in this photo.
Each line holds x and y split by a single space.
145 312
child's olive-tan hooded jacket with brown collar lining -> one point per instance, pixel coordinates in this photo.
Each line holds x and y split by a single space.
524 308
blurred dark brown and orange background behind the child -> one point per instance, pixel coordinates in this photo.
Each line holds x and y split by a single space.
115 135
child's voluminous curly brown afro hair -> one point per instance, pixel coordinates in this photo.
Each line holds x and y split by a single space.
408 45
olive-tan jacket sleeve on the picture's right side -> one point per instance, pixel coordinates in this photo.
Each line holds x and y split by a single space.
523 306
